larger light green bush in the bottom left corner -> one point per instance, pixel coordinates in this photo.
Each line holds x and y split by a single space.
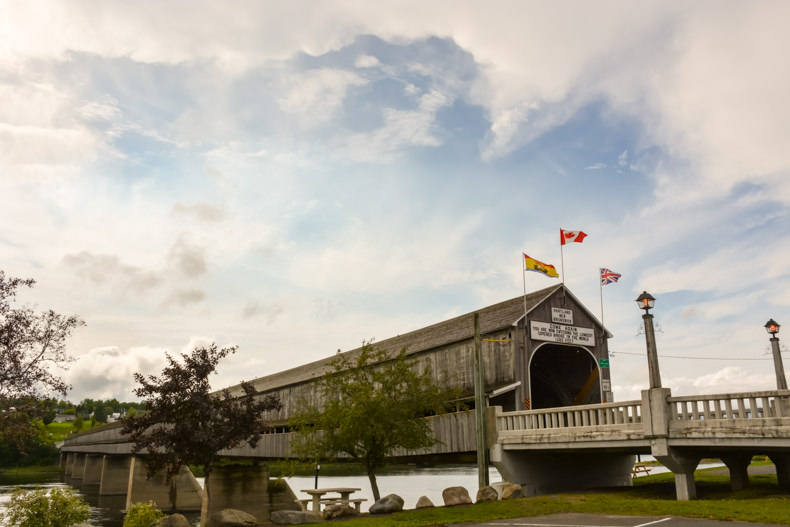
41 508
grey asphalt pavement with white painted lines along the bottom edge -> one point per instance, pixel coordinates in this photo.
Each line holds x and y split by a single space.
606 520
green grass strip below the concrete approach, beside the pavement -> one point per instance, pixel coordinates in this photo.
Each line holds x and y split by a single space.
762 502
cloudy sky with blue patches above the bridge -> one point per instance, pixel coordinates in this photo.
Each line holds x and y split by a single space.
293 178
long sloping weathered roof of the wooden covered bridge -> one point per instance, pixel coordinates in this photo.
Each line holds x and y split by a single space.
492 318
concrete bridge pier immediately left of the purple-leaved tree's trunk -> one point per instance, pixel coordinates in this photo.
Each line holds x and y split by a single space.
183 493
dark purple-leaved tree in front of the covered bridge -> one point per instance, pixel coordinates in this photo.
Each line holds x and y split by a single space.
185 423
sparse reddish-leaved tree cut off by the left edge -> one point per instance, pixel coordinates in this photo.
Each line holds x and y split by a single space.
32 349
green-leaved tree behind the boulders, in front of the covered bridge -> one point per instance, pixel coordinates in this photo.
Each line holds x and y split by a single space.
370 405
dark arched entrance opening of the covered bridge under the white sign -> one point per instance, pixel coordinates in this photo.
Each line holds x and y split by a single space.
563 376
